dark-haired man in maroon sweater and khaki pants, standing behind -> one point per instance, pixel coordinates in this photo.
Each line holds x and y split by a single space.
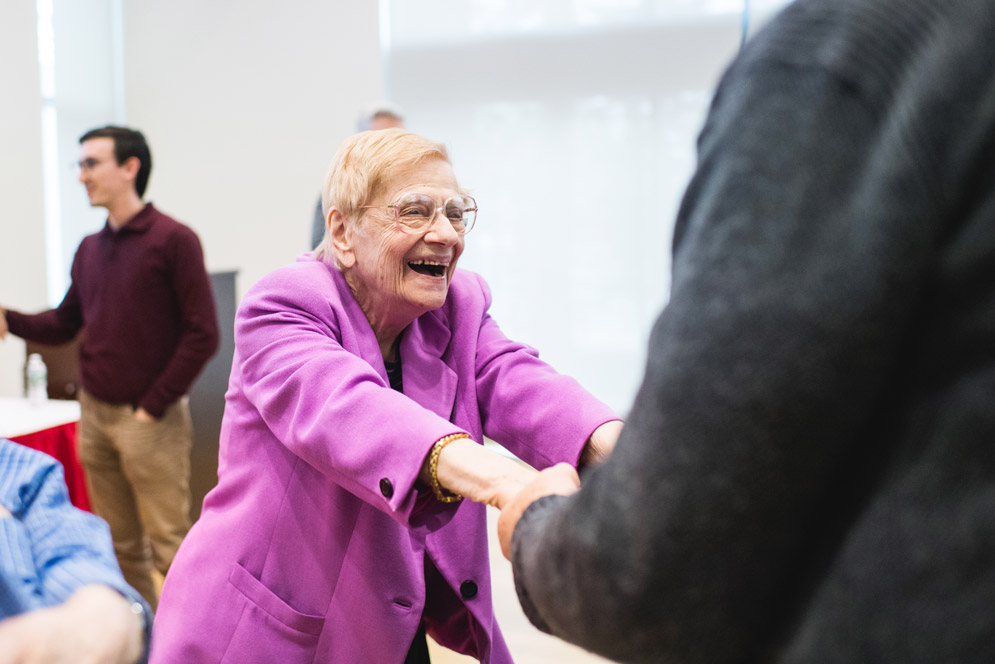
140 287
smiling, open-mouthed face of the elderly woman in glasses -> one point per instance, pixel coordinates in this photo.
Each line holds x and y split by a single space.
399 275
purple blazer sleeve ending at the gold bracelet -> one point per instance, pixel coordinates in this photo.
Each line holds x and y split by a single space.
299 363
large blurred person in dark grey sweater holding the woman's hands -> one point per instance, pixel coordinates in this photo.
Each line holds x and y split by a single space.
807 473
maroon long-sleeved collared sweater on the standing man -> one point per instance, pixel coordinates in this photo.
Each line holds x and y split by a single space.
145 298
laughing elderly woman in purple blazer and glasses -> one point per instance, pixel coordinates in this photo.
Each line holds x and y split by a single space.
365 378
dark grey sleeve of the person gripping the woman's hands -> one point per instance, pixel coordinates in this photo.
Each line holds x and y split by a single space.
793 281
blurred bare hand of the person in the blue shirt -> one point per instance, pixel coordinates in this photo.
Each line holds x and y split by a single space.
94 626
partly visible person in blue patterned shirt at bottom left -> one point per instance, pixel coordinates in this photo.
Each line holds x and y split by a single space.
62 597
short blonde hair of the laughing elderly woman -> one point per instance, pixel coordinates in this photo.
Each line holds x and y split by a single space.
361 168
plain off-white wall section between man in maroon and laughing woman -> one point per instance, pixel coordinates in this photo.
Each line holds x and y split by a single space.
243 103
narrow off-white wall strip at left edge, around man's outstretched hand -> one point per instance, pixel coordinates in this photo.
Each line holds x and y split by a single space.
22 228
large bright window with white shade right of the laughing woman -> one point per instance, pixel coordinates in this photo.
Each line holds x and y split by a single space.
574 126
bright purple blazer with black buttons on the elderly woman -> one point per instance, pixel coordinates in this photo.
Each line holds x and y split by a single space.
313 546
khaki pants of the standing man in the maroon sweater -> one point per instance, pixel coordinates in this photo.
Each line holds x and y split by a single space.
138 476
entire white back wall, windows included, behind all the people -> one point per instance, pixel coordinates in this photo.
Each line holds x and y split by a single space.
245 102
